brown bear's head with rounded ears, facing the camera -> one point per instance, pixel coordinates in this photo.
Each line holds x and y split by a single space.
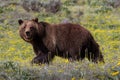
30 30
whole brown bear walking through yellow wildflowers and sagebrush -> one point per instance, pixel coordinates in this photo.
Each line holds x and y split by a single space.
66 40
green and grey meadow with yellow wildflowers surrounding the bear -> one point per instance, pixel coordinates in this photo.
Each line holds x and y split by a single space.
100 17
